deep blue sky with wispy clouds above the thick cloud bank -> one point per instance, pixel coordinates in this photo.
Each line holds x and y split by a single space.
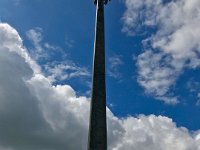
151 67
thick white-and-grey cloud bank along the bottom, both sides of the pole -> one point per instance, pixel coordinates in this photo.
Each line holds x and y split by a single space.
34 114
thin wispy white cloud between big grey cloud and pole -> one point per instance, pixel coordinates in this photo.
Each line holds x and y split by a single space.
55 71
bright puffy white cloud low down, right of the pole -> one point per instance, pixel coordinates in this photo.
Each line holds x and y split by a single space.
156 133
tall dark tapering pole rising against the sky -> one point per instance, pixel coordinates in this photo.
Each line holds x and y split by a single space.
97 138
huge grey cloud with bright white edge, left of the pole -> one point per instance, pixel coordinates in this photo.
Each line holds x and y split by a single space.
28 118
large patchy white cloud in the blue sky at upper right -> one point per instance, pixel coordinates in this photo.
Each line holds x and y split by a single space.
172 48
